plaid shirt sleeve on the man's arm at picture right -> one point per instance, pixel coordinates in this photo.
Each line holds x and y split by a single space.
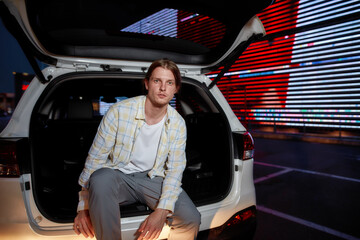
175 166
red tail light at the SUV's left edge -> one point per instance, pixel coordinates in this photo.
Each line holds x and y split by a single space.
11 153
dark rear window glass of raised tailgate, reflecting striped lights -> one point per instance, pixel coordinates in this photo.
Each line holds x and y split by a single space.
193 32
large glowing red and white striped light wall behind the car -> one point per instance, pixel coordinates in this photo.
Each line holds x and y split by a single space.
305 73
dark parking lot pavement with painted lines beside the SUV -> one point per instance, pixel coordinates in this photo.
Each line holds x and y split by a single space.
307 190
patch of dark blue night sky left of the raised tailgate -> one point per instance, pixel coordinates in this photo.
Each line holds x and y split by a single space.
12 59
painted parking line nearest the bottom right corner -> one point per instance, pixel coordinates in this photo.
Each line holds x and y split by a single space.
306 223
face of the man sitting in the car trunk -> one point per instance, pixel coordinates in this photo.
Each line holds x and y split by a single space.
161 87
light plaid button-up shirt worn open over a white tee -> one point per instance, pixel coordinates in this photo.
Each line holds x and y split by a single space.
114 142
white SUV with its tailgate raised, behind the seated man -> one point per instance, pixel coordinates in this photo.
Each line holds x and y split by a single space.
97 53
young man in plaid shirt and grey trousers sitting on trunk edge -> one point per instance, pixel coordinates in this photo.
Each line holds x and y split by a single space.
138 155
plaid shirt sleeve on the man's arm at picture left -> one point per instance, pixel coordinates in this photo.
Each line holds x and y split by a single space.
102 146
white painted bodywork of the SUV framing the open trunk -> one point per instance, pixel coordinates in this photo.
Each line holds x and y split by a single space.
28 219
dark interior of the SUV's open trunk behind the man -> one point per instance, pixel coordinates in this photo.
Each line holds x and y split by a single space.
65 120
